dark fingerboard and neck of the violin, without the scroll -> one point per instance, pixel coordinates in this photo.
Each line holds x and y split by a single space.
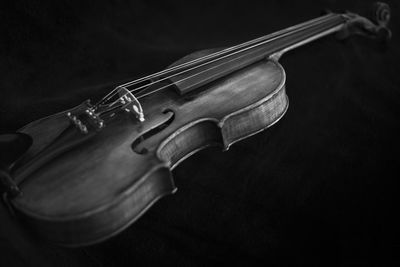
269 46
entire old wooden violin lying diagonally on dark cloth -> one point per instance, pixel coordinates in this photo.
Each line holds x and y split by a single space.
87 173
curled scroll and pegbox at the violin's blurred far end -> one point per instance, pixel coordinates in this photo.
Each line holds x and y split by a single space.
375 28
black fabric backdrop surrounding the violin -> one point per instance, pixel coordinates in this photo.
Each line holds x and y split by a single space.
319 187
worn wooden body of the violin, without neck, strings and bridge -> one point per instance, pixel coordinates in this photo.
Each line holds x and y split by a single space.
90 189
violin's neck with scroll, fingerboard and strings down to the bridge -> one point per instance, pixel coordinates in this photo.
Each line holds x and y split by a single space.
200 71
